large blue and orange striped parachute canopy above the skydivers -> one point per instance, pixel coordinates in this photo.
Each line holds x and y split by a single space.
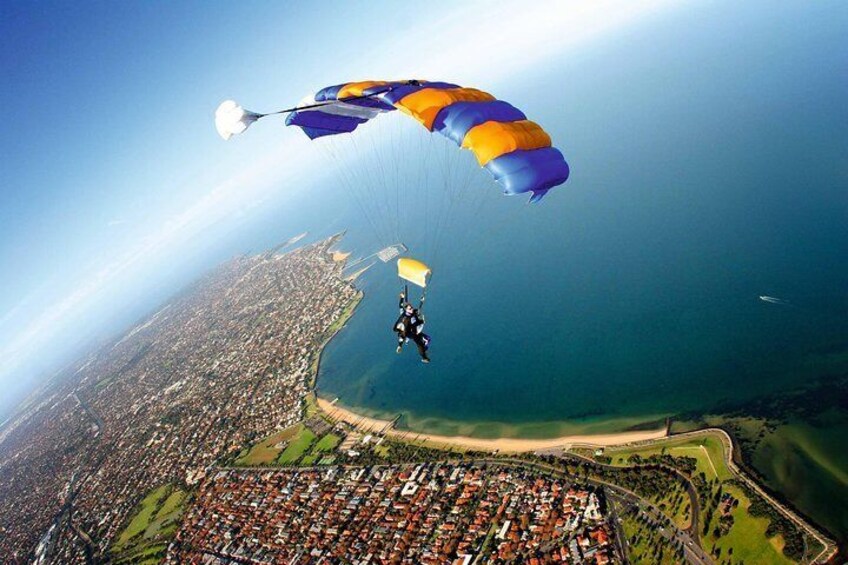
516 151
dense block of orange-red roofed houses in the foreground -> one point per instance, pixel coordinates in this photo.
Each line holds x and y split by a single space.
425 513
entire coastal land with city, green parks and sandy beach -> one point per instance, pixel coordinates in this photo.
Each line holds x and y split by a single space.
236 459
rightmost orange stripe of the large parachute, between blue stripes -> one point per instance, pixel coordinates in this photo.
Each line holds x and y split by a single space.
490 140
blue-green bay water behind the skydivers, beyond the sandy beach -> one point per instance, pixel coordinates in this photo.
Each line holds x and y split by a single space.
707 169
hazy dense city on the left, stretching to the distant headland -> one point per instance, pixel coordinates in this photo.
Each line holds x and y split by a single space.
225 363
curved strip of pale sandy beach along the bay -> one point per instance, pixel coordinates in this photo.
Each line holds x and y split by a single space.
512 445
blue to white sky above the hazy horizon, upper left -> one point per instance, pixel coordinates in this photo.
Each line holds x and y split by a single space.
113 173
